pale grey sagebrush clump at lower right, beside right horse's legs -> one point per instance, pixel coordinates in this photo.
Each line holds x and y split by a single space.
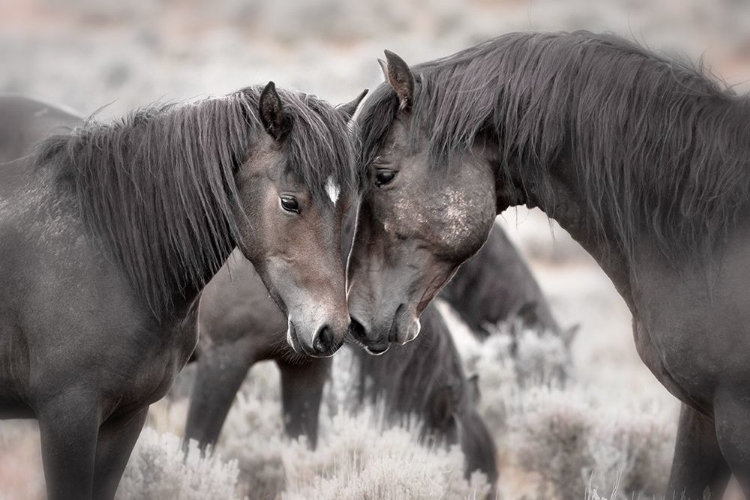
574 437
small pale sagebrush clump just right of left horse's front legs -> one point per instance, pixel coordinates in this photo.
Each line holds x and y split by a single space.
159 470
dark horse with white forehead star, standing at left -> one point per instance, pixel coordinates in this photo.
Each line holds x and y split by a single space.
108 234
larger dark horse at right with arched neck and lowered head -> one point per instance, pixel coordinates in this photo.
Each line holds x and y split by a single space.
643 160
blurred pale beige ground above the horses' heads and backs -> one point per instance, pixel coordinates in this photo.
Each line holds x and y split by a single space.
88 53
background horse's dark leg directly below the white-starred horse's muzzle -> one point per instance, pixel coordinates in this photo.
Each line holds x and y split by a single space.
301 394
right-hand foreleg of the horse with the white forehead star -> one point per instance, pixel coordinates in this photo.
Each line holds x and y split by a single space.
116 441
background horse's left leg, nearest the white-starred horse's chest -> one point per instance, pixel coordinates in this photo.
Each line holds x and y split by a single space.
218 377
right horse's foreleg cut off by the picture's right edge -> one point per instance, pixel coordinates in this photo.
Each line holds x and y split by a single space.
732 415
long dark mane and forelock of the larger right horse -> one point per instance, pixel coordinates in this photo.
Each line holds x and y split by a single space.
659 145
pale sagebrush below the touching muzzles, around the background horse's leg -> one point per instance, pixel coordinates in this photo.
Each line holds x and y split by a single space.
357 454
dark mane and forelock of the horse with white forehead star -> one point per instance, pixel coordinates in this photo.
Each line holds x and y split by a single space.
157 187
